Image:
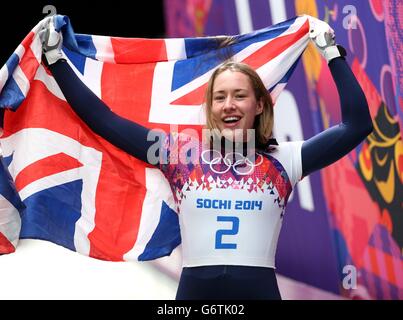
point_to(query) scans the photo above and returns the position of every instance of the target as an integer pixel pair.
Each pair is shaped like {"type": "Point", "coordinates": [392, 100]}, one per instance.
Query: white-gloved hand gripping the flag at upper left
{"type": "Point", "coordinates": [52, 41]}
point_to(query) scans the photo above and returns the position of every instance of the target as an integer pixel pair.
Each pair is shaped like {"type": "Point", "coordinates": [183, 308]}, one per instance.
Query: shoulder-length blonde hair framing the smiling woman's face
{"type": "Point", "coordinates": [263, 124]}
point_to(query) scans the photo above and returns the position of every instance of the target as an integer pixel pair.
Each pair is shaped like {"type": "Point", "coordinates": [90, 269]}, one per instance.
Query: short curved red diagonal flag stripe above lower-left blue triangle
{"type": "Point", "coordinates": [44, 168]}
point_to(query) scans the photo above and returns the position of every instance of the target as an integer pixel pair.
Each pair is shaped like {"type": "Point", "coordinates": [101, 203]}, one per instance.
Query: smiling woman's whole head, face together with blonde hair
{"type": "Point", "coordinates": [237, 100]}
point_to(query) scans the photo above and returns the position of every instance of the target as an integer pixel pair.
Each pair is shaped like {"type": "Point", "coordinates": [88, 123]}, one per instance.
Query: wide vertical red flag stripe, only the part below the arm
{"type": "Point", "coordinates": [116, 227]}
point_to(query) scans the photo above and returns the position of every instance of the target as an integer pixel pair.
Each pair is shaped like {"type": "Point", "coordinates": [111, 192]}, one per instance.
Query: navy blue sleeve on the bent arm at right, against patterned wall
{"type": "Point", "coordinates": [332, 144]}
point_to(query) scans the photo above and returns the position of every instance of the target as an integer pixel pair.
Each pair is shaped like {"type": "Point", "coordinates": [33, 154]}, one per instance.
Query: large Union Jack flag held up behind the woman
{"type": "Point", "coordinates": [80, 191]}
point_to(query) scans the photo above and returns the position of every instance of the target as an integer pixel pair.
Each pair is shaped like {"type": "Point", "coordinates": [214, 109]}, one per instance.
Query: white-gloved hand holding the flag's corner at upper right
{"type": "Point", "coordinates": [323, 37]}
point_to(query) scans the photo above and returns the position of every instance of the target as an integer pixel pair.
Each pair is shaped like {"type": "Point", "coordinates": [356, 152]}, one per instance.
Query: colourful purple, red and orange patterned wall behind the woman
{"type": "Point", "coordinates": [348, 216]}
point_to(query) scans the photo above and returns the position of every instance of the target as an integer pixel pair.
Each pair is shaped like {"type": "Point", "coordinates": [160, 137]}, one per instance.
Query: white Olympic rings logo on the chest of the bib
{"type": "Point", "coordinates": [242, 165]}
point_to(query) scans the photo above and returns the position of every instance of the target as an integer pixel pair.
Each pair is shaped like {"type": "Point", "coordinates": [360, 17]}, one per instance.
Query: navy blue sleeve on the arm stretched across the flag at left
{"type": "Point", "coordinates": [122, 133]}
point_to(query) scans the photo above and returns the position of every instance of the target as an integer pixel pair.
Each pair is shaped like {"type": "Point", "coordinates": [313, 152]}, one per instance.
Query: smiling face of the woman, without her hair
{"type": "Point", "coordinates": [234, 105]}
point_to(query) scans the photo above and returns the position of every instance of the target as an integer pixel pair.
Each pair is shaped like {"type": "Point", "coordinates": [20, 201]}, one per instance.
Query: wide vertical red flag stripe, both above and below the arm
{"type": "Point", "coordinates": [125, 199]}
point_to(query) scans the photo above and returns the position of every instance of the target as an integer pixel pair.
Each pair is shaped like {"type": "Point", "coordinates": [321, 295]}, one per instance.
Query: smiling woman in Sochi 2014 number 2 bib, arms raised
{"type": "Point", "coordinates": [230, 229]}
